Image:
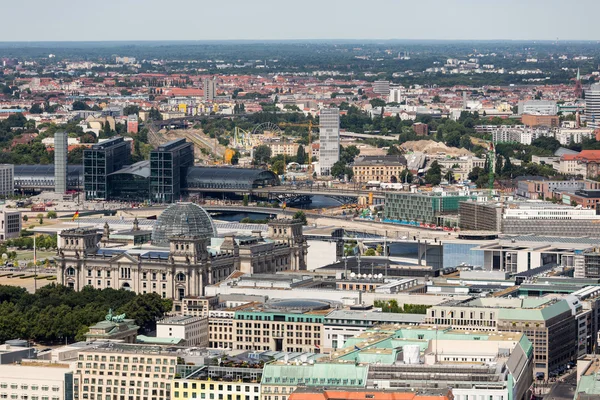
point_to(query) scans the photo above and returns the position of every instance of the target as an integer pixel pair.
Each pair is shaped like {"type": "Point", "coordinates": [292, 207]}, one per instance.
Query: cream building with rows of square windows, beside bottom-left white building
{"type": "Point", "coordinates": [114, 371]}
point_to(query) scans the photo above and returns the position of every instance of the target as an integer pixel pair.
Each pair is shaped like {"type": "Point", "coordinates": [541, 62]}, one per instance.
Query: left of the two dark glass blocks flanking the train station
{"type": "Point", "coordinates": [100, 161]}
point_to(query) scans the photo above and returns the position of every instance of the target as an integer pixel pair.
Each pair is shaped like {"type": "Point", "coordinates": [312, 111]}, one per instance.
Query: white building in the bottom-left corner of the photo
{"type": "Point", "coordinates": [36, 380]}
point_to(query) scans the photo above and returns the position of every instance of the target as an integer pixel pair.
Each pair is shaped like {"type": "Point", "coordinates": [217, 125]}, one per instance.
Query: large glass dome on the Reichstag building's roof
{"type": "Point", "coordinates": [182, 219]}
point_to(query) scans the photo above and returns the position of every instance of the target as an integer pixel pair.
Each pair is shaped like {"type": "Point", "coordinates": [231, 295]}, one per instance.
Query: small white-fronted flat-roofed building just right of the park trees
{"type": "Point", "coordinates": [193, 330]}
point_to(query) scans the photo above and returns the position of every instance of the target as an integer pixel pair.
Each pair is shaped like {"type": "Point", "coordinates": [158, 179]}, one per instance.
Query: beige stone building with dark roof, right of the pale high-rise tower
{"type": "Point", "coordinates": [378, 168]}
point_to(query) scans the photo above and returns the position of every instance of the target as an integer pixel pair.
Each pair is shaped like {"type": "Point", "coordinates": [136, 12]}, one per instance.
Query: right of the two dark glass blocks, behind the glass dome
{"type": "Point", "coordinates": [168, 167]}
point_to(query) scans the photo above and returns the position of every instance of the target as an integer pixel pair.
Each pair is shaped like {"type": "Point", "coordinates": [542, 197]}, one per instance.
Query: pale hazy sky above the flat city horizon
{"type": "Point", "coordinates": [35, 20]}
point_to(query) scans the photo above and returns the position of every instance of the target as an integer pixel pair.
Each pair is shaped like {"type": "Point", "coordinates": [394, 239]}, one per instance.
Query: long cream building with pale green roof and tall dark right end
{"type": "Point", "coordinates": [548, 323]}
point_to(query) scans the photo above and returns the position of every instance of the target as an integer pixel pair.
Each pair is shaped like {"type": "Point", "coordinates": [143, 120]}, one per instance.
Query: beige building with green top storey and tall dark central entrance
{"type": "Point", "coordinates": [281, 325]}
